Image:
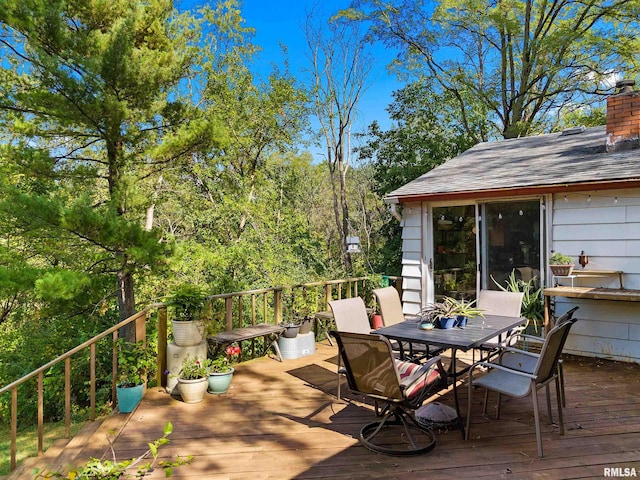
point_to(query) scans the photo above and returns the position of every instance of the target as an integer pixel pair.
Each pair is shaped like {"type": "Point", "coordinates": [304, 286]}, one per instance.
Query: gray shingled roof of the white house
{"type": "Point", "coordinates": [544, 160]}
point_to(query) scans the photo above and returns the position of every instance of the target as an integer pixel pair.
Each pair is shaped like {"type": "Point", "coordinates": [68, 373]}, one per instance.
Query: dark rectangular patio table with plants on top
{"type": "Point", "coordinates": [473, 335]}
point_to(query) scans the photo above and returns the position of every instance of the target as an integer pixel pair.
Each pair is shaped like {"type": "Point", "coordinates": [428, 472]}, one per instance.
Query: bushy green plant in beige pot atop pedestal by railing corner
{"type": "Point", "coordinates": [189, 304]}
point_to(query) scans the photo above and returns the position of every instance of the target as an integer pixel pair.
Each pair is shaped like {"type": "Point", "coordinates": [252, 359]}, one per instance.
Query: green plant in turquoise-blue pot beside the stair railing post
{"type": "Point", "coordinates": [134, 361]}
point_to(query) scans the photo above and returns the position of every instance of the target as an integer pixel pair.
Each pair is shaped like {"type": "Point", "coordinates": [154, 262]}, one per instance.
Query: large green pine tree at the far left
{"type": "Point", "coordinates": [88, 92]}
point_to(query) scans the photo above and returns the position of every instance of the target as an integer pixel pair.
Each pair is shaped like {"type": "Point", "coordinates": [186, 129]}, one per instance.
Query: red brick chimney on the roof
{"type": "Point", "coordinates": [623, 118]}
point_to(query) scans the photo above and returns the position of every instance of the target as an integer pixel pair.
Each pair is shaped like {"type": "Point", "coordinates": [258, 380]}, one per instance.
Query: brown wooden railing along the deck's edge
{"type": "Point", "coordinates": [230, 310]}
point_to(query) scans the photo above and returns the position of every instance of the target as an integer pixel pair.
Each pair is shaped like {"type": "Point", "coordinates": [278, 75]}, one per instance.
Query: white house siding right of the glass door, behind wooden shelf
{"type": "Point", "coordinates": [608, 231]}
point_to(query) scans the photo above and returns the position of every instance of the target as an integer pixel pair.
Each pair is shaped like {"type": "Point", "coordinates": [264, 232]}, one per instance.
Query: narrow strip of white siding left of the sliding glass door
{"type": "Point", "coordinates": [412, 258]}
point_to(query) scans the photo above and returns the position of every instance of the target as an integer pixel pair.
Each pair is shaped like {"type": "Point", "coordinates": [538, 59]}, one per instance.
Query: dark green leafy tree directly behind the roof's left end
{"type": "Point", "coordinates": [425, 133]}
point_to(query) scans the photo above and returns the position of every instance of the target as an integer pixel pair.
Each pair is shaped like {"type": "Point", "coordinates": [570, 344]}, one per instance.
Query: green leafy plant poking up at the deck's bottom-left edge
{"type": "Point", "coordinates": [96, 469]}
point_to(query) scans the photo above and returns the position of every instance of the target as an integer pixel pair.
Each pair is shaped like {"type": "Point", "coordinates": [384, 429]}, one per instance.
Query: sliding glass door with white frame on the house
{"type": "Point", "coordinates": [482, 245]}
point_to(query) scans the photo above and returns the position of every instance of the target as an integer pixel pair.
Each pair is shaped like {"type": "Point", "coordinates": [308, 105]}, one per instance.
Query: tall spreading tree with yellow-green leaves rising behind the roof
{"type": "Point", "coordinates": [522, 60]}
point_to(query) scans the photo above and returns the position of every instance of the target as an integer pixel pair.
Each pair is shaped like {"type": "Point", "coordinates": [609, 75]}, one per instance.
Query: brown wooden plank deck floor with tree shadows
{"type": "Point", "coordinates": [280, 421]}
